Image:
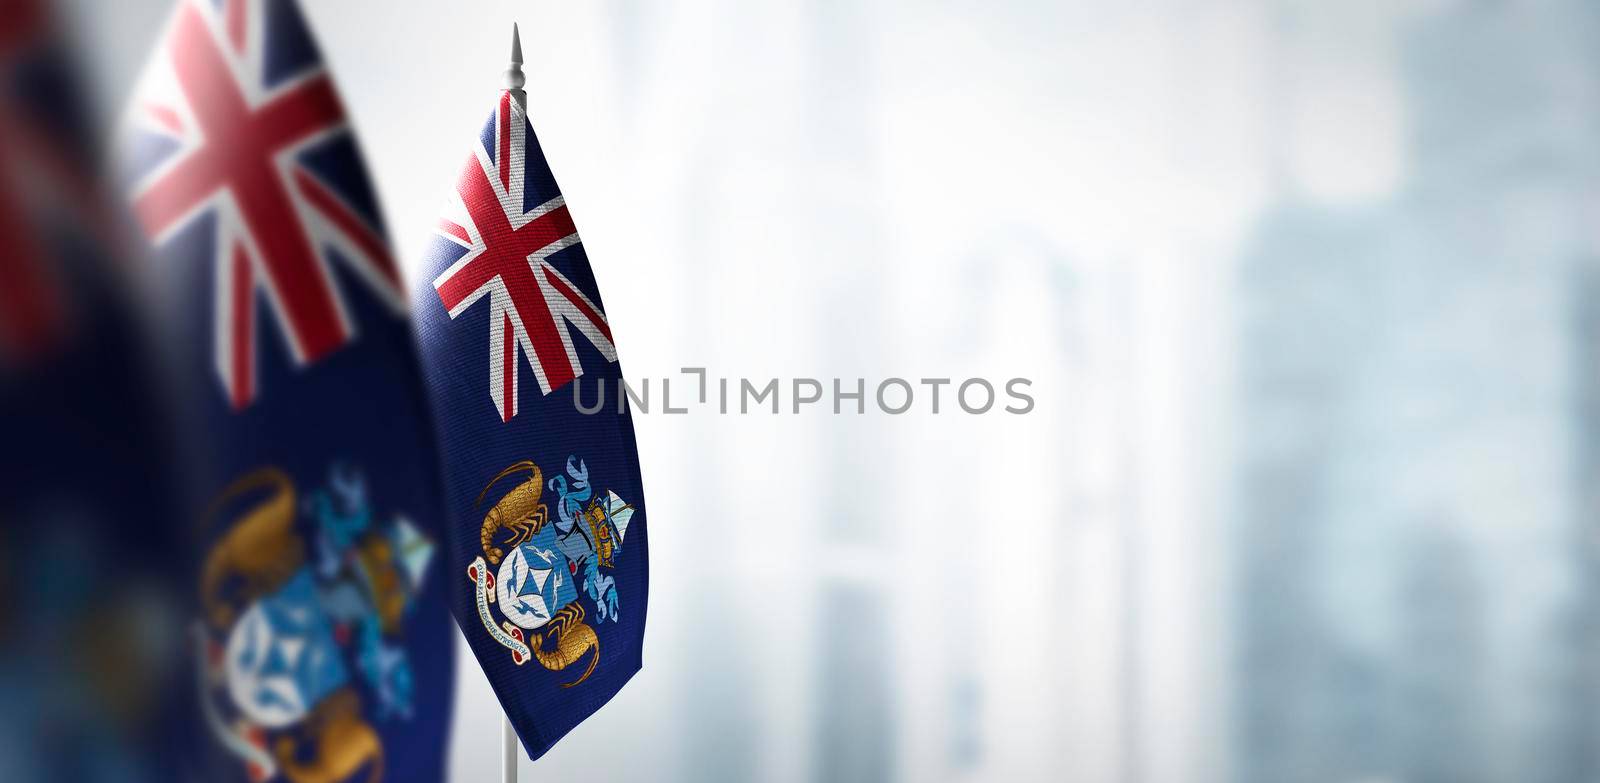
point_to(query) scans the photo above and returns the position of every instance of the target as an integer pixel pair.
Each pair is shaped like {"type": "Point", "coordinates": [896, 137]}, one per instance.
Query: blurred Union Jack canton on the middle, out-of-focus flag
{"type": "Point", "coordinates": [239, 127]}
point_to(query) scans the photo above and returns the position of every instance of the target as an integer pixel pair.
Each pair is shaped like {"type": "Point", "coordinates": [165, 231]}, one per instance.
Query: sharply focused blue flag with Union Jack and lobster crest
{"type": "Point", "coordinates": [550, 563]}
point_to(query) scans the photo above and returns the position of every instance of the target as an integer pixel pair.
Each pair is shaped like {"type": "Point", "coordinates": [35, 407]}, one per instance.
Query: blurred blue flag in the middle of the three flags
{"type": "Point", "coordinates": [322, 628]}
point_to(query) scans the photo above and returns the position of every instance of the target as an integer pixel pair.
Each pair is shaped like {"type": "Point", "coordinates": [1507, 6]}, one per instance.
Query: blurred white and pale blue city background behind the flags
{"type": "Point", "coordinates": [1311, 302]}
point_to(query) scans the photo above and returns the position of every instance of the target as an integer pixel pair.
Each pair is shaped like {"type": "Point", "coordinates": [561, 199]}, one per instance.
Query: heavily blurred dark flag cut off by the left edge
{"type": "Point", "coordinates": [87, 536]}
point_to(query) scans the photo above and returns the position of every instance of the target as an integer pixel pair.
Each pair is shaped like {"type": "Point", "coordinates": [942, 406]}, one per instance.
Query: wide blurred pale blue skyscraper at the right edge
{"type": "Point", "coordinates": [1410, 454]}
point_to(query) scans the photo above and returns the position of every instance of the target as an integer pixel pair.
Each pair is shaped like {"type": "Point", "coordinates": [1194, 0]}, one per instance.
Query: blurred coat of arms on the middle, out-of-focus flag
{"type": "Point", "coordinates": [302, 643]}
